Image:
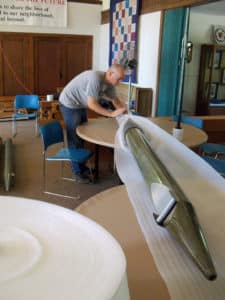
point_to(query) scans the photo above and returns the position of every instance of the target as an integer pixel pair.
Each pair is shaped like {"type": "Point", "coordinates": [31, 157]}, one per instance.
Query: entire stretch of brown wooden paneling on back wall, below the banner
{"type": "Point", "coordinates": [42, 62]}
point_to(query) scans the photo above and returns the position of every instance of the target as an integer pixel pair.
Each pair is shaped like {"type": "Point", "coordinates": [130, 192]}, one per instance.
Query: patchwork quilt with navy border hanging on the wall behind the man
{"type": "Point", "coordinates": [123, 33]}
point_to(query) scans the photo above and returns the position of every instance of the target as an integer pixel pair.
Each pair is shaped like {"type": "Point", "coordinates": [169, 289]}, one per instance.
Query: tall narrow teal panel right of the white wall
{"type": "Point", "coordinates": [170, 61]}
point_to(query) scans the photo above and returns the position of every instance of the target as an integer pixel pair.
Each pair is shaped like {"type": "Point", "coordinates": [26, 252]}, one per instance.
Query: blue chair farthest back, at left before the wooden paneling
{"type": "Point", "coordinates": [22, 106]}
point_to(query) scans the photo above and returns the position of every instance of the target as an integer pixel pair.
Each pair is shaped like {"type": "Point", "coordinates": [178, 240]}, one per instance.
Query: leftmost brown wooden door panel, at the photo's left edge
{"type": "Point", "coordinates": [16, 76]}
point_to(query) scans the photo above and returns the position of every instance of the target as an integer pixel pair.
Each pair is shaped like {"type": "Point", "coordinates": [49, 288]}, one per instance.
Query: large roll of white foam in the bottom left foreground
{"type": "Point", "coordinates": [51, 253]}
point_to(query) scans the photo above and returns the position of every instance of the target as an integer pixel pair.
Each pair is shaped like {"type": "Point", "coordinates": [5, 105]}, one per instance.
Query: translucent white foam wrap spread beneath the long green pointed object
{"type": "Point", "coordinates": [205, 190]}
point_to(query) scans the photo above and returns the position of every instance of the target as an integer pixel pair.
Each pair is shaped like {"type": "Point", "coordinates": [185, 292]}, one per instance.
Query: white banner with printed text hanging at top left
{"type": "Point", "coordinates": [49, 13]}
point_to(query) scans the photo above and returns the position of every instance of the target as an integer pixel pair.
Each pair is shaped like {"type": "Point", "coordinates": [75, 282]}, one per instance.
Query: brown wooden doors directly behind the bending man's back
{"type": "Point", "coordinates": [58, 59]}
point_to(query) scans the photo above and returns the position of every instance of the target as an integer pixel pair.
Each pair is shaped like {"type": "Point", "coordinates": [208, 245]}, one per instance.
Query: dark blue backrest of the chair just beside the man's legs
{"type": "Point", "coordinates": [51, 133]}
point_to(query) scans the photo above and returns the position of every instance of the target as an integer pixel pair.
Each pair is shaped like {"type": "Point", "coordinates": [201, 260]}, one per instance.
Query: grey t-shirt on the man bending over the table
{"type": "Point", "coordinates": [88, 83]}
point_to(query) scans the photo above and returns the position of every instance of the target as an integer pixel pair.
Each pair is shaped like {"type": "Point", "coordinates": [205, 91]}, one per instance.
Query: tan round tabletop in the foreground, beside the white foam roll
{"type": "Point", "coordinates": [113, 210]}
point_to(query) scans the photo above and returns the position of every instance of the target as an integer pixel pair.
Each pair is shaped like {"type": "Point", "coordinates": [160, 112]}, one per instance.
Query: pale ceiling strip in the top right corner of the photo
{"type": "Point", "coordinates": [216, 8]}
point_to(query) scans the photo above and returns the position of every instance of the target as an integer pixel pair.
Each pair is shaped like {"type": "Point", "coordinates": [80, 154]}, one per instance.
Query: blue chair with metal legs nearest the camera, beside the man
{"type": "Point", "coordinates": [52, 133]}
